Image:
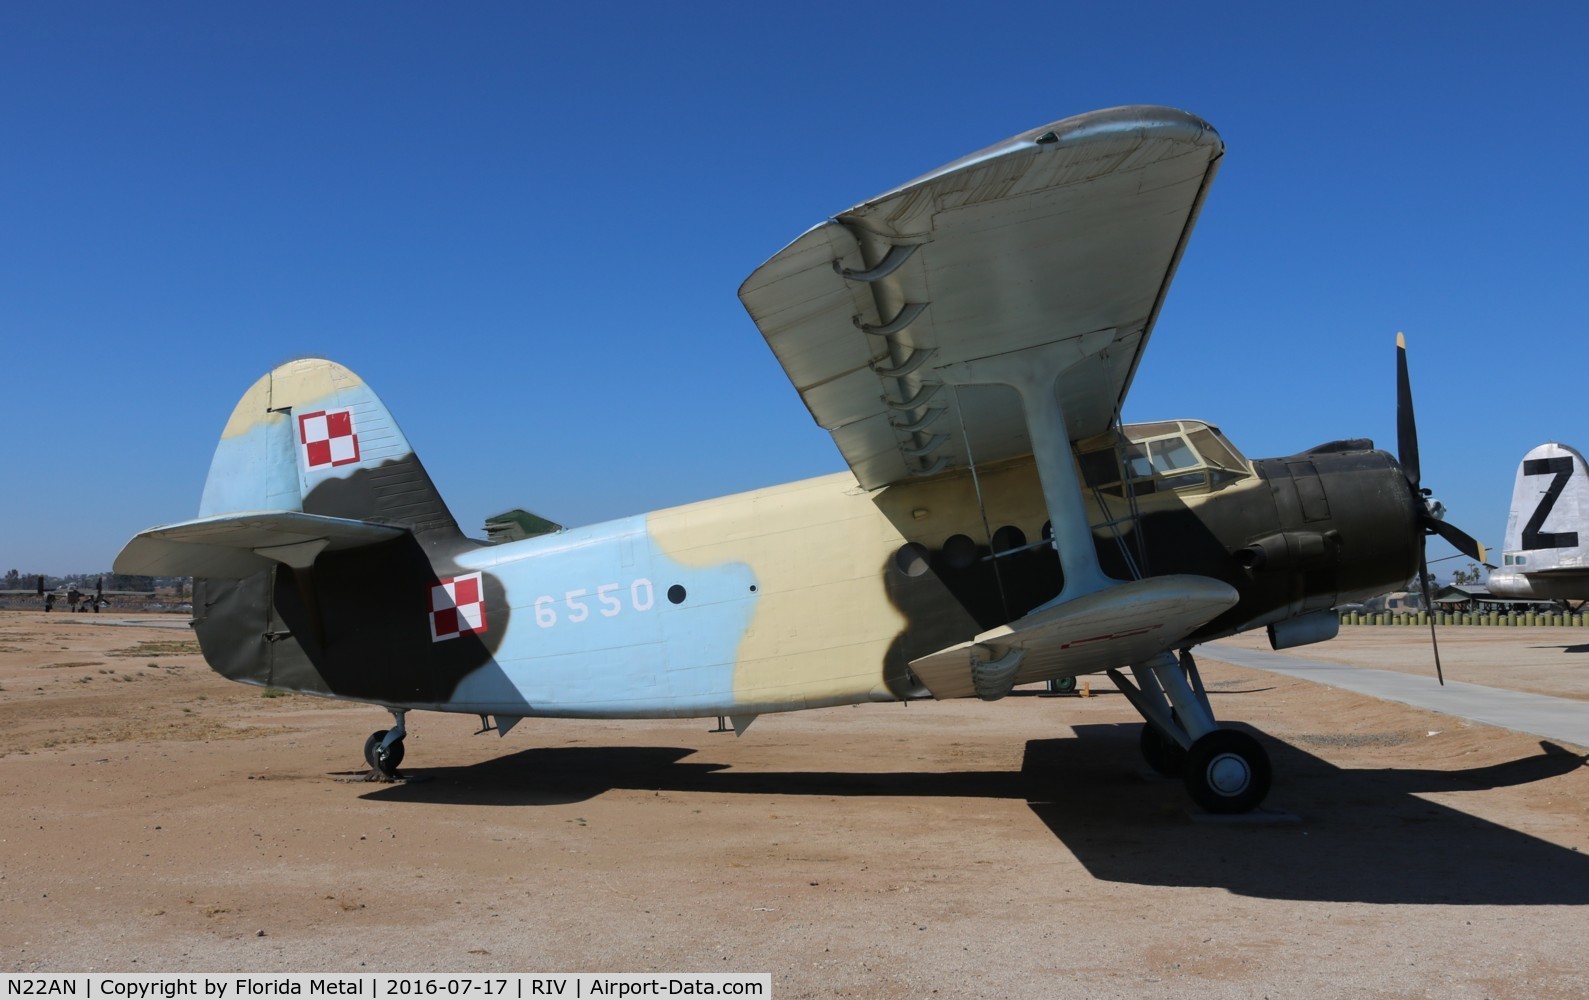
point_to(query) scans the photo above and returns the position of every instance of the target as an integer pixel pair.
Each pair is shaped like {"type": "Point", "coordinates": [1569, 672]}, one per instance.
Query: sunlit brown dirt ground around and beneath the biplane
{"type": "Point", "coordinates": [160, 818]}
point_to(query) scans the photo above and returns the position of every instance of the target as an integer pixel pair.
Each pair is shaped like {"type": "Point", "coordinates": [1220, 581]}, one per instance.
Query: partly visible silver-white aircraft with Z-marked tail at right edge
{"type": "Point", "coordinates": [1545, 556]}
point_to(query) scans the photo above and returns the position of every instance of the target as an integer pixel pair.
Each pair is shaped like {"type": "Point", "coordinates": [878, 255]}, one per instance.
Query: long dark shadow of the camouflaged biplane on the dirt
{"type": "Point", "coordinates": [1364, 837]}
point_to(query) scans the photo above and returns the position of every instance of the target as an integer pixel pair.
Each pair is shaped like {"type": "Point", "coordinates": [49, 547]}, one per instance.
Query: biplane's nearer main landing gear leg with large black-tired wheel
{"type": "Point", "coordinates": [1224, 770]}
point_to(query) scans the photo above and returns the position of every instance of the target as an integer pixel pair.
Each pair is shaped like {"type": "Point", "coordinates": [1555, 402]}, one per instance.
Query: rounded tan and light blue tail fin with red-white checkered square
{"type": "Point", "coordinates": [312, 436]}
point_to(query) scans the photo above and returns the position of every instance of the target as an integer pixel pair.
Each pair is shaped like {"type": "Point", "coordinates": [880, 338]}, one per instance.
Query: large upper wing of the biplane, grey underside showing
{"type": "Point", "coordinates": [1070, 231]}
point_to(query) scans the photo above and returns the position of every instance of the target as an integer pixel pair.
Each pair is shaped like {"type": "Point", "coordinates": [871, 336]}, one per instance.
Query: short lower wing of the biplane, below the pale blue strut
{"type": "Point", "coordinates": [1113, 627]}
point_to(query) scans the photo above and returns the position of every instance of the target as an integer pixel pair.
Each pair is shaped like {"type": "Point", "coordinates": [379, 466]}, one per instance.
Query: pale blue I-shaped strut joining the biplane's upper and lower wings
{"type": "Point", "coordinates": [1034, 373]}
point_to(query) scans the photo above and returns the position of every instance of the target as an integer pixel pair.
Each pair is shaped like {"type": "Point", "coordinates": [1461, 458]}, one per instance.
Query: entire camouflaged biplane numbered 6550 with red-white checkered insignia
{"type": "Point", "coordinates": [968, 341]}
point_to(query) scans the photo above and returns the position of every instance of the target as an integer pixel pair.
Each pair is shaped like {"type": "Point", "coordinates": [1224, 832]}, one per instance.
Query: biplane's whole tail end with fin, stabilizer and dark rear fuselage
{"type": "Point", "coordinates": [322, 554]}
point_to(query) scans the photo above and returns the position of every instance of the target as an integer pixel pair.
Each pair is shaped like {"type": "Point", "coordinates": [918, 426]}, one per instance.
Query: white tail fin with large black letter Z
{"type": "Point", "coordinates": [1548, 527]}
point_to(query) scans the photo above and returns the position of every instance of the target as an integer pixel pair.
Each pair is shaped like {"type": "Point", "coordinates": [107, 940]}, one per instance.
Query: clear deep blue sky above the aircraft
{"type": "Point", "coordinates": [525, 225]}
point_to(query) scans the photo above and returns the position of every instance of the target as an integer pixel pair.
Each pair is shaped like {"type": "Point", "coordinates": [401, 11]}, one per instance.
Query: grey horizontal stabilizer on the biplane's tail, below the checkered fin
{"type": "Point", "coordinates": [236, 546]}
